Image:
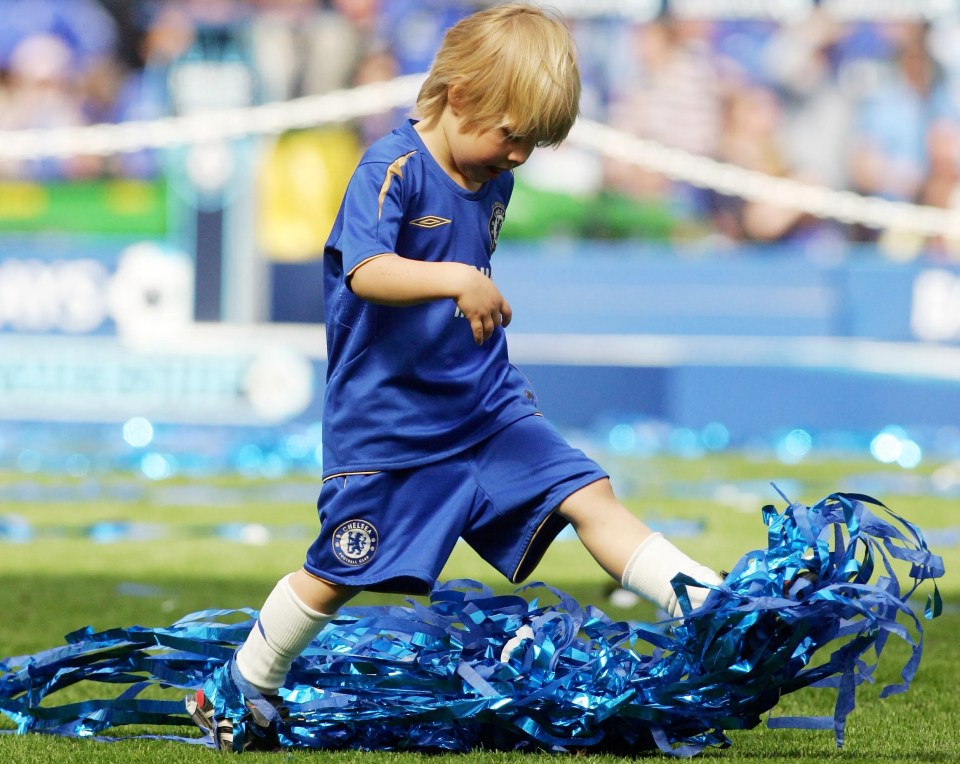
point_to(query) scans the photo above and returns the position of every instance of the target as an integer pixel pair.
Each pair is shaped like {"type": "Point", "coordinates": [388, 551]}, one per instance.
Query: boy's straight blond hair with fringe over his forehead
{"type": "Point", "coordinates": [513, 66]}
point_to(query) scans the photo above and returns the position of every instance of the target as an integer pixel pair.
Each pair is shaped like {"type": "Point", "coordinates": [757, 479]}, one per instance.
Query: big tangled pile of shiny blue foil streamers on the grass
{"type": "Point", "coordinates": [474, 669]}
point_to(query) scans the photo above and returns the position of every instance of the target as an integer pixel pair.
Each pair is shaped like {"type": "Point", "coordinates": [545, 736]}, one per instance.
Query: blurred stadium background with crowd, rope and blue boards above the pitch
{"type": "Point", "coordinates": [751, 239]}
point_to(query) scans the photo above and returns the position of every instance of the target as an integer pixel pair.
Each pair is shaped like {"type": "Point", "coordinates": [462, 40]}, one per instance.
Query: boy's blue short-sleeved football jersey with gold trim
{"type": "Point", "coordinates": [408, 385]}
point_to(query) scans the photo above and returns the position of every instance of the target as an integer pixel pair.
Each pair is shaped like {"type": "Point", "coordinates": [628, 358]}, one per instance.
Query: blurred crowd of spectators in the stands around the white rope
{"type": "Point", "coordinates": [871, 107]}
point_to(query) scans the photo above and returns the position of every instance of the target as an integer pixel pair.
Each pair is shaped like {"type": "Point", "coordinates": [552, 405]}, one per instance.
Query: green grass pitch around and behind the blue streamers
{"type": "Point", "coordinates": [64, 580]}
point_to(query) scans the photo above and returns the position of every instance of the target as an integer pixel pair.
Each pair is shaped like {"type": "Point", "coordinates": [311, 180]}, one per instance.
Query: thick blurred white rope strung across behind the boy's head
{"type": "Point", "coordinates": [376, 98]}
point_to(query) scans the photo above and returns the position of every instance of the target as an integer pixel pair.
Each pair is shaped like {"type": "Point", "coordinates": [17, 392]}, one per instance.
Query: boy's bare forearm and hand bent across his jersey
{"type": "Point", "coordinates": [393, 280]}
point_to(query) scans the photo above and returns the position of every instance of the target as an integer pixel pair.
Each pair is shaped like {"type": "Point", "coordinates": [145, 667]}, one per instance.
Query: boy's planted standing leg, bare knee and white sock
{"type": "Point", "coordinates": [294, 613]}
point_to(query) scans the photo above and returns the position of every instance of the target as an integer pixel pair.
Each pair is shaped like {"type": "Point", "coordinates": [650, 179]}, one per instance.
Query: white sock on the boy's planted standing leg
{"type": "Point", "coordinates": [284, 629]}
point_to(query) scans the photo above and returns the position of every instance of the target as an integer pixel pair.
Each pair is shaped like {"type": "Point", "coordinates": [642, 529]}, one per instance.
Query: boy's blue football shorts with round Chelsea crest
{"type": "Point", "coordinates": [394, 530]}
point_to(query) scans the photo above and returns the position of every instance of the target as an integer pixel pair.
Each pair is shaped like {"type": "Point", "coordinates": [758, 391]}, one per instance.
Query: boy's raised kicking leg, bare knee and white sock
{"type": "Point", "coordinates": [624, 546]}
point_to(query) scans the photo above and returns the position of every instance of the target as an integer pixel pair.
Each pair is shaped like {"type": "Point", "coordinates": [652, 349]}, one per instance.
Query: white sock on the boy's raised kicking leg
{"type": "Point", "coordinates": [654, 564]}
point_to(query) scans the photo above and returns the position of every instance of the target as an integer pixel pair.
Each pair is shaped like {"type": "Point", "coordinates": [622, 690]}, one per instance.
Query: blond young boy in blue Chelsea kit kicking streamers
{"type": "Point", "coordinates": [429, 433]}
